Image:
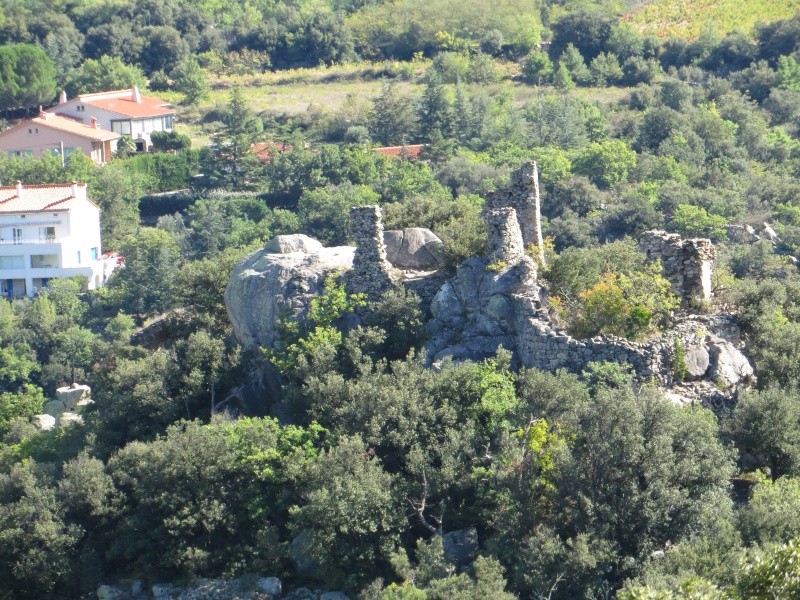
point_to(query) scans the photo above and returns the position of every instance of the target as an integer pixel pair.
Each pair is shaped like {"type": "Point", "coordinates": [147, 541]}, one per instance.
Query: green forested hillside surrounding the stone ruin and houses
{"type": "Point", "coordinates": [352, 469]}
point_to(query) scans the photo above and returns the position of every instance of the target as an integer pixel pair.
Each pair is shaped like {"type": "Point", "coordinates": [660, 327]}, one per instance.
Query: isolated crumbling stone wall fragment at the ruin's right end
{"type": "Point", "coordinates": [687, 264]}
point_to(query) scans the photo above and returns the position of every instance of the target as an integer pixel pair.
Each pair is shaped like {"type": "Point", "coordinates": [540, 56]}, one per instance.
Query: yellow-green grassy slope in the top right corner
{"type": "Point", "coordinates": [687, 18]}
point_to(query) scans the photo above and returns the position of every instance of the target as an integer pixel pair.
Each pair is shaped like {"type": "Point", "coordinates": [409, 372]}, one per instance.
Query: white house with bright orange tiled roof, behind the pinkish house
{"type": "Point", "coordinates": [126, 112]}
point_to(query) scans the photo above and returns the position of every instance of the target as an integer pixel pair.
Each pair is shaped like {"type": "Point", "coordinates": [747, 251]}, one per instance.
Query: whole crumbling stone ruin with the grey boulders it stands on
{"type": "Point", "coordinates": [495, 300]}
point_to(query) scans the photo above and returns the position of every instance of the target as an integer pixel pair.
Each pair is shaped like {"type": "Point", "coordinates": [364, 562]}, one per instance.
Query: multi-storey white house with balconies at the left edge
{"type": "Point", "coordinates": [46, 232]}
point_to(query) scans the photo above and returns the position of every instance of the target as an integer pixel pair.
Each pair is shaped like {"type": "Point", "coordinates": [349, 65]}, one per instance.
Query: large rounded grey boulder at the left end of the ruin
{"type": "Point", "coordinates": [265, 284]}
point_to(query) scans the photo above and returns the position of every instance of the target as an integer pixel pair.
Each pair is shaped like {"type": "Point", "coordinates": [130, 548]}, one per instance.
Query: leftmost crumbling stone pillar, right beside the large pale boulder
{"type": "Point", "coordinates": [371, 273]}
